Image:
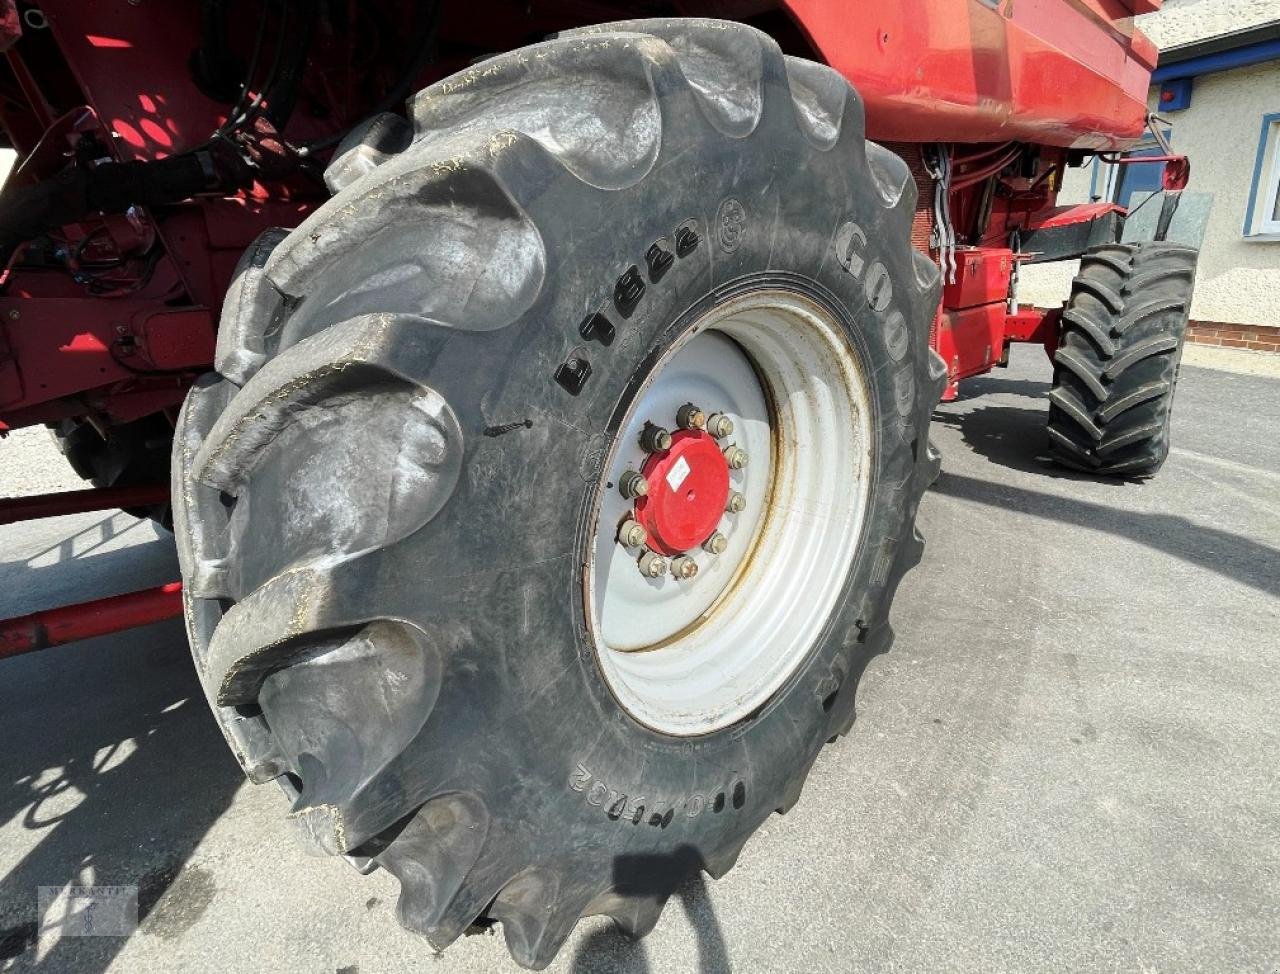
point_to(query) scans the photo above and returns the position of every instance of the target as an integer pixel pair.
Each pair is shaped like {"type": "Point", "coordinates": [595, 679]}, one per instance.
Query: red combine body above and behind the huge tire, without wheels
{"type": "Point", "coordinates": [109, 317]}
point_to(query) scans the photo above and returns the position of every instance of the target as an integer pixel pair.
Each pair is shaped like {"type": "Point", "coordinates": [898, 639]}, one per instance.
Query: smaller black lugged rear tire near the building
{"type": "Point", "coordinates": [1117, 364]}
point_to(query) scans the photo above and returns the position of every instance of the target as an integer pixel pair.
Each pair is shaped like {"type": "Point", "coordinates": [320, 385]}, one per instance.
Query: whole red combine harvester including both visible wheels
{"type": "Point", "coordinates": [546, 445]}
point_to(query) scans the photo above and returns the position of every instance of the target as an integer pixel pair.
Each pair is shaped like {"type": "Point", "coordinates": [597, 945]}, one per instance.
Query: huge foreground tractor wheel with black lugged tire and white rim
{"type": "Point", "coordinates": [417, 592]}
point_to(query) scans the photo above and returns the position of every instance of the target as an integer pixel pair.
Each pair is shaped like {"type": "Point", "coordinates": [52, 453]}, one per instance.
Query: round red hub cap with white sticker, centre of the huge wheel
{"type": "Point", "coordinates": [688, 491]}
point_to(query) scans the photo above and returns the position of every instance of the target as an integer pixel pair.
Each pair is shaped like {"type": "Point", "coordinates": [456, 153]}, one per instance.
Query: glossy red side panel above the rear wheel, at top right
{"type": "Point", "coordinates": [1055, 72]}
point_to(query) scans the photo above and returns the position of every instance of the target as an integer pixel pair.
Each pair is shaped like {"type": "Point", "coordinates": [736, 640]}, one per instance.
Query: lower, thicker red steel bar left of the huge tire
{"type": "Point", "coordinates": [53, 628]}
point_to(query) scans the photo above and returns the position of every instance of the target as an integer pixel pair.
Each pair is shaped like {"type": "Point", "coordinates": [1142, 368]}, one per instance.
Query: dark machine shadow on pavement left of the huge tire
{"type": "Point", "coordinates": [113, 769]}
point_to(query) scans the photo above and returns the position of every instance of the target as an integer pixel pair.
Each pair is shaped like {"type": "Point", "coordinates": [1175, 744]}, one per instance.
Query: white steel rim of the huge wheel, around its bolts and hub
{"type": "Point", "coordinates": [688, 657]}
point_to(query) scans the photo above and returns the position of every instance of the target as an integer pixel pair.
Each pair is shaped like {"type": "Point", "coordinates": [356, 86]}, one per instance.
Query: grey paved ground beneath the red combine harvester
{"type": "Point", "coordinates": [1069, 762]}
